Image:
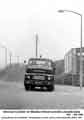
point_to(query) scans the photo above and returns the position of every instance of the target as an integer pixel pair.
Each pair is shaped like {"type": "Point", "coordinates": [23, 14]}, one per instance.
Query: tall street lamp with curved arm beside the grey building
{"type": "Point", "coordinates": [81, 69]}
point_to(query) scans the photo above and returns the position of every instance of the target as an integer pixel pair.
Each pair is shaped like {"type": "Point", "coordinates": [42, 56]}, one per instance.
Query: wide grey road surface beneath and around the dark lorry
{"type": "Point", "coordinates": [14, 96]}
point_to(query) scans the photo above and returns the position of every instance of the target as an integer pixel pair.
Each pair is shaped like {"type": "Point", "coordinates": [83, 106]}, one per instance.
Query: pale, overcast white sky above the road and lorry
{"type": "Point", "coordinates": [21, 20]}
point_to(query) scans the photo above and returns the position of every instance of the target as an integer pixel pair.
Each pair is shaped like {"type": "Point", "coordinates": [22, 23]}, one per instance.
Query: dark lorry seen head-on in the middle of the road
{"type": "Point", "coordinates": [39, 72]}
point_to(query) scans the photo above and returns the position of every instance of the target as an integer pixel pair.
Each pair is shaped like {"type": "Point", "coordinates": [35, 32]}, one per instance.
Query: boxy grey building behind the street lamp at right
{"type": "Point", "coordinates": [72, 61]}
